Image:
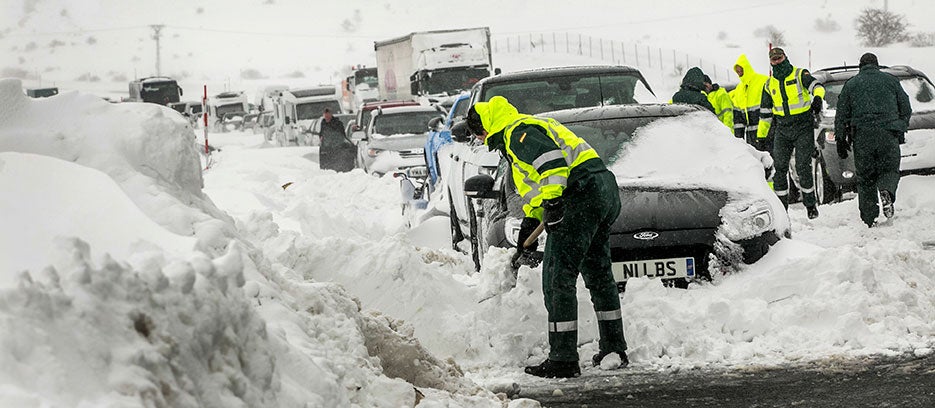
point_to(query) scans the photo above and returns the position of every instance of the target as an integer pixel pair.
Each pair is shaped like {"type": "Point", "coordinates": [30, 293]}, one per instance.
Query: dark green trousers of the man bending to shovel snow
{"type": "Point", "coordinates": [580, 244]}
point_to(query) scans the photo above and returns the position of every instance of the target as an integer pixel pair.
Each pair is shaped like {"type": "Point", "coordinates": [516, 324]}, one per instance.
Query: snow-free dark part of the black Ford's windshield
{"type": "Point", "coordinates": [609, 136]}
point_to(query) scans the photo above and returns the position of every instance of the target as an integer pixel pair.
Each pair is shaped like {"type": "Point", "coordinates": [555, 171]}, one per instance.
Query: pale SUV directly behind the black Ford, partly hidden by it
{"type": "Point", "coordinates": [532, 92]}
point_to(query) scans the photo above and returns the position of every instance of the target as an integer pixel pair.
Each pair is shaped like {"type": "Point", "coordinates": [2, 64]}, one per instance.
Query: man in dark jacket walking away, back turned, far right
{"type": "Point", "coordinates": [873, 114]}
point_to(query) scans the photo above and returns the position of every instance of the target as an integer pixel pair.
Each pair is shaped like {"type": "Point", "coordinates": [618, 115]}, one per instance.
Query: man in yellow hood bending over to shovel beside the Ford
{"type": "Point", "coordinates": [565, 185]}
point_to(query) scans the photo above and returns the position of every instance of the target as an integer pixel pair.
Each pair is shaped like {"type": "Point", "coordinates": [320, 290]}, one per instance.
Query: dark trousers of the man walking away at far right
{"type": "Point", "coordinates": [876, 159]}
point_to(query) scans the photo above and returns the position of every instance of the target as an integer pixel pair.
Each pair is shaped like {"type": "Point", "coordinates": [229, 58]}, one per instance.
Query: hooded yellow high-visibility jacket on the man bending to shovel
{"type": "Point", "coordinates": [541, 151]}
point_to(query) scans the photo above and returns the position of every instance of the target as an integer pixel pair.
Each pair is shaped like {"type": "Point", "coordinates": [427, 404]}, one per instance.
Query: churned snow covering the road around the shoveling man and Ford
{"type": "Point", "coordinates": [835, 289]}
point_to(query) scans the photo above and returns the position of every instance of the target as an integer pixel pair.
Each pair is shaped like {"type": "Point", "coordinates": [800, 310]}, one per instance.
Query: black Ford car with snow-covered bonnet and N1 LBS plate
{"type": "Point", "coordinates": [694, 200]}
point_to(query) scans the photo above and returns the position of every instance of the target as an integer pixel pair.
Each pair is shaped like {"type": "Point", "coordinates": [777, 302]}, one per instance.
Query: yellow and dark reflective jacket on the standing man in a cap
{"type": "Point", "coordinates": [789, 97]}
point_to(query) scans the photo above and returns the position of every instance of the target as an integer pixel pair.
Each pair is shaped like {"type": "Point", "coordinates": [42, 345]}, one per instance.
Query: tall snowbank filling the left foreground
{"type": "Point", "coordinates": [125, 285]}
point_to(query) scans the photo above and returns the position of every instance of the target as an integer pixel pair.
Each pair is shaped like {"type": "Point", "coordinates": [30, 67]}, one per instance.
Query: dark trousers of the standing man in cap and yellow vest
{"type": "Point", "coordinates": [794, 134]}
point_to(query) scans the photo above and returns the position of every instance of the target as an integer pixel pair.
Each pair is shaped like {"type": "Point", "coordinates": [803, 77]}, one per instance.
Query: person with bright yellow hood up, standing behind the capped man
{"type": "Point", "coordinates": [746, 97]}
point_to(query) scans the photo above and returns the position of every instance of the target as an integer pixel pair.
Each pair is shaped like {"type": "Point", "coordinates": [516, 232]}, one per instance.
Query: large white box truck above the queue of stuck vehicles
{"type": "Point", "coordinates": [432, 64]}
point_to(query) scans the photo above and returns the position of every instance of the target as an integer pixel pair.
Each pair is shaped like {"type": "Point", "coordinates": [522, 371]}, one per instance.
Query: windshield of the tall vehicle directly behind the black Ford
{"type": "Point", "coordinates": [575, 91]}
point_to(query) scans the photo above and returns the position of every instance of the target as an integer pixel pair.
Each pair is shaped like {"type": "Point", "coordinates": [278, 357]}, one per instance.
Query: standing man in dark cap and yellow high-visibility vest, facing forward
{"type": "Point", "coordinates": [791, 99]}
